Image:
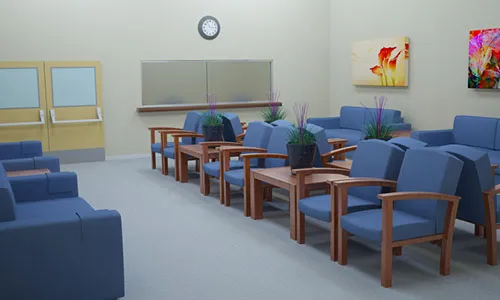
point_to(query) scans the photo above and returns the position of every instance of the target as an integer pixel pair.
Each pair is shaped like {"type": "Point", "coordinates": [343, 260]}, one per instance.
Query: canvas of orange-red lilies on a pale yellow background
{"type": "Point", "coordinates": [381, 62]}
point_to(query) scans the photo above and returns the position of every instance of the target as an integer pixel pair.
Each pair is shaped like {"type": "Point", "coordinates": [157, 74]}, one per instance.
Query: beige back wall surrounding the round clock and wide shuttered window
{"type": "Point", "coordinates": [121, 33]}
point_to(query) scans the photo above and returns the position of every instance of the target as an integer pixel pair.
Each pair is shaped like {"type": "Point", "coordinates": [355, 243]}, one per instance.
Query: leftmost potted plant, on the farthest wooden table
{"type": "Point", "coordinates": [212, 124]}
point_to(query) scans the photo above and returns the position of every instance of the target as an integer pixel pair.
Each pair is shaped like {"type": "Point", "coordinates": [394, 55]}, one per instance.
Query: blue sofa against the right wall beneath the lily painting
{"type": "Point", "coordinates": [352, 120]}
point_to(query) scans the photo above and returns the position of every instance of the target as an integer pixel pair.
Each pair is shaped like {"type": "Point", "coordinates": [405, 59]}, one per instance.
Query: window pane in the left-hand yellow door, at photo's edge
{"type": "Point", "coordinates": [19, 88]}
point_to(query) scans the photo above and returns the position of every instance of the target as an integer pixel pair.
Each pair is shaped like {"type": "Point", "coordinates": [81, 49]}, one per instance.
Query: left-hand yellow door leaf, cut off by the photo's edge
{"type": "Point", "coordinates": [23, 114]}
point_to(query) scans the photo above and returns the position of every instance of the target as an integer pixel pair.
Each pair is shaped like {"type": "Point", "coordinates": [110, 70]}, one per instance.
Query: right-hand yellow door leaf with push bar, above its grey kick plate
{"type": "Point", "coordinates": [74, 103]}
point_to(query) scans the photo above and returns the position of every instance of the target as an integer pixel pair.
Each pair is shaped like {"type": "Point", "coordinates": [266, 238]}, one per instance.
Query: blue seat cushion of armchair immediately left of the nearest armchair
{"type": "Point", "coordinates": [319, 207]}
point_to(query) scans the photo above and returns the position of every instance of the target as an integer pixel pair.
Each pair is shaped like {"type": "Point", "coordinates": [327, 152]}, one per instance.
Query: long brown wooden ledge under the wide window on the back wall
{"type": "Point", "coordinates": [187, 107]}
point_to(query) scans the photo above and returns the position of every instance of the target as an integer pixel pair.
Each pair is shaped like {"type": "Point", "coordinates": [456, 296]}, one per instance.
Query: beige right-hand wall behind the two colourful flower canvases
{"type": "Point", "coordinates": [438, 32]}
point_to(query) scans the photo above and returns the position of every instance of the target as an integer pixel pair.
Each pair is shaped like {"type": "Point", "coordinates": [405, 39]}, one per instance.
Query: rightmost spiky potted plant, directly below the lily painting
{"type": "Point", "coordinates": [377, 127]}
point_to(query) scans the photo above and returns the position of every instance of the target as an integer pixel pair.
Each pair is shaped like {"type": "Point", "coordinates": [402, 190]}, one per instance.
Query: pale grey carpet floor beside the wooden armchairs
{"type": "Point", "coordinates": [179, 244]}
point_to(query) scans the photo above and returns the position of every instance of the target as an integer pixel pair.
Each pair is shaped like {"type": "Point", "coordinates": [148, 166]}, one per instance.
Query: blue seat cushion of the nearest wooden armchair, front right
{"type": "Point", "coordinates": [368, 224]}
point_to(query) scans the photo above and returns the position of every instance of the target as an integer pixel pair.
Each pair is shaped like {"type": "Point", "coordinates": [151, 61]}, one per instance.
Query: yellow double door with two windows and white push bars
{"type": "Point", "coordinates": [58, 103]}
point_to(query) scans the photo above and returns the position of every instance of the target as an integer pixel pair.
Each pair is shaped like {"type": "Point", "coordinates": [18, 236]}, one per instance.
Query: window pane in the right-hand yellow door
{"type": "Point", "coordinates": [74, 87]}
